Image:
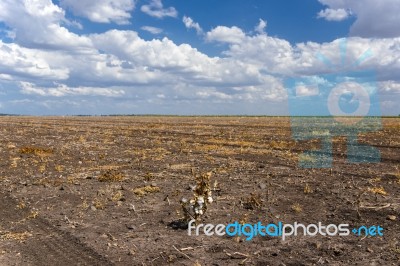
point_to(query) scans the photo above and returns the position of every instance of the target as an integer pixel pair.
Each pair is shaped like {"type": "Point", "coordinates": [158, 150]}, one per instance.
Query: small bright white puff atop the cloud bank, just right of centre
{"type": "Point", "coordinates": [226, 34]}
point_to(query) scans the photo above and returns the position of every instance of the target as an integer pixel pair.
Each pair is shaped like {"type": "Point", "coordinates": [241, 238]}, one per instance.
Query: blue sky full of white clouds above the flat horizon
{"type": "Point", "coordinates": [199, 57]}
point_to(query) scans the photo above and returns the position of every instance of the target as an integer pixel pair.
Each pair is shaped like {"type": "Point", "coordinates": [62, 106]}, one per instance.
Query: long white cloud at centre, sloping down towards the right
{"type": "Point", "coordinates": [173, 62]}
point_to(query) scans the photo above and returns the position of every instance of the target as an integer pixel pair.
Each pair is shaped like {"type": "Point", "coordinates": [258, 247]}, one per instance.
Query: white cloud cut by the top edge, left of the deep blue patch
{"type": "Point", "coordinates": [103, 11]}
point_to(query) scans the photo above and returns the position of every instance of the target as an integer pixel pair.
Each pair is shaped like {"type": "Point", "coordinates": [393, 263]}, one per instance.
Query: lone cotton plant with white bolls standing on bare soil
{"type": "Point", "coordinates": [202, 196]}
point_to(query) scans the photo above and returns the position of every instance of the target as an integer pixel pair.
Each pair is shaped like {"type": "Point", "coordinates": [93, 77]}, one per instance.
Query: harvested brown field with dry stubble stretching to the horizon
{"type": "Point", "coordinates": [107, 191]}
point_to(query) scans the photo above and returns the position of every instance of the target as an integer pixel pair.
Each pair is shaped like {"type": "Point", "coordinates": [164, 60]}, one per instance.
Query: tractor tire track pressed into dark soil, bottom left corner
{"type": "Point", "coordinates": [46, 245]}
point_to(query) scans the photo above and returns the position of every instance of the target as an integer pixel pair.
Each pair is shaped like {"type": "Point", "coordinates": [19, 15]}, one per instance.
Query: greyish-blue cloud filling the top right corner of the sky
{"type": "Point", "coordinates": [376, 19]}
